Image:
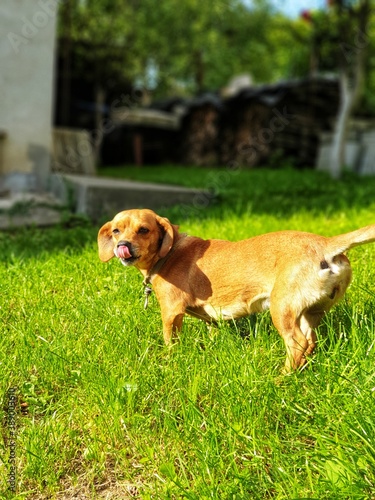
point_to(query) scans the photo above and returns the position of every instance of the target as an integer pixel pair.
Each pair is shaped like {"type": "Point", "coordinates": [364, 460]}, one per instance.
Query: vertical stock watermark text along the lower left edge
{"type": "Point", "coordinates": [11, 435]}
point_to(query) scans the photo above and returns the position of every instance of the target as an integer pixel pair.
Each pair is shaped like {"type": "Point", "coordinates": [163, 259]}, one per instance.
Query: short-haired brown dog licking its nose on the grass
{"type": "Point", "coordinates": [299, 276]}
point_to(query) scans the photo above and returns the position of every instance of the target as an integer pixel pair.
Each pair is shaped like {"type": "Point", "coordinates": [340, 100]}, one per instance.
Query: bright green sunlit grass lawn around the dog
{"type": "Point", "coordinates": [101, 409]}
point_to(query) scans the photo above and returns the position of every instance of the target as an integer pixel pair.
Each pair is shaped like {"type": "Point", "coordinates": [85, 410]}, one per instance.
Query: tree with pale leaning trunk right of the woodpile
{"type": "Point", "coordinates": [339, 42]}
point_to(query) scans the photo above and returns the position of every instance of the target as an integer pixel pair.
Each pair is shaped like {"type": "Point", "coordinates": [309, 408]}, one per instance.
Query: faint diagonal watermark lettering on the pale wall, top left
{"type": "Point", "coordinates": [31, 26]}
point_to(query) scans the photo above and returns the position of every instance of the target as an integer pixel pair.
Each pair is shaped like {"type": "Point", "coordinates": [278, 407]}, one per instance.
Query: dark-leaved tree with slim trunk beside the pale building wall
{"type": "Point", "coordinates": [92, 44]}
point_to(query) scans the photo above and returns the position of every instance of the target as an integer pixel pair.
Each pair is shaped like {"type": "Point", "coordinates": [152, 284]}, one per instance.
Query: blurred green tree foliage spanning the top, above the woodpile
{"type": "Point", "coordinates": [191, 46]}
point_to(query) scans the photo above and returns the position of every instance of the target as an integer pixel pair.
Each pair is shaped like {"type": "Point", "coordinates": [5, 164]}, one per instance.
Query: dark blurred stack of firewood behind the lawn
{"type": "Point", "coordinates": [261, 125]}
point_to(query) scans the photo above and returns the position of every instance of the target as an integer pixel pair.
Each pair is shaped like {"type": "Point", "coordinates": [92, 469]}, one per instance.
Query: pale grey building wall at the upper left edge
{"type": "Point", "coordinates": [27, 49]}
